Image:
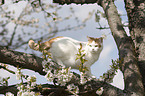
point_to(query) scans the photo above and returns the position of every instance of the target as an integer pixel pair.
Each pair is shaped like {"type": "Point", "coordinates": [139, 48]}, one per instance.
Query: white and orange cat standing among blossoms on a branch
{"type": "Point", "coordinates": [64, 49]}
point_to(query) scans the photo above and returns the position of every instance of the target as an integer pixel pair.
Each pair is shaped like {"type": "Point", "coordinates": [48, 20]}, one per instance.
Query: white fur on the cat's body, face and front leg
{"type": "Point", "coordinates": [64, 50]}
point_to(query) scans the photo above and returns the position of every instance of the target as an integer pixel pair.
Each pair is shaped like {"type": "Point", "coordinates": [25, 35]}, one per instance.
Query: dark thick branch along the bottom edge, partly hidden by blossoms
{"type": "Point", "coordinates": [48, 89]}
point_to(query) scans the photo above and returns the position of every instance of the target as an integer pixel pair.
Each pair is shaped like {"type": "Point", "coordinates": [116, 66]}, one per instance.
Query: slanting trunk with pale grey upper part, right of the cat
{"type": "Point", "coordinates": [129, 67]}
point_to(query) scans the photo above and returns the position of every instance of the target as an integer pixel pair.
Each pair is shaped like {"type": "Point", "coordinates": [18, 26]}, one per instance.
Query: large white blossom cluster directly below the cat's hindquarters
{"type": "Point", "coordinates": [62, 74]}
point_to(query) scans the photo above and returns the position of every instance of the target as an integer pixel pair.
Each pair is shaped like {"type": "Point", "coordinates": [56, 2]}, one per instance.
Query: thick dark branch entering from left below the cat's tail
{"type": "Point", "coordinates": [22, 60]}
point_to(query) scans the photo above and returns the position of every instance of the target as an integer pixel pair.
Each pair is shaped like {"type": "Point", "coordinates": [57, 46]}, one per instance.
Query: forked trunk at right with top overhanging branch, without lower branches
{"type": "Point", "coordinates": [131, 49]}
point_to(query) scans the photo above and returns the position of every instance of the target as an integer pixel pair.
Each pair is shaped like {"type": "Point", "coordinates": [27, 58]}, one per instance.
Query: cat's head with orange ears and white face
{"type": "Point", "coordinates": [95, 44]}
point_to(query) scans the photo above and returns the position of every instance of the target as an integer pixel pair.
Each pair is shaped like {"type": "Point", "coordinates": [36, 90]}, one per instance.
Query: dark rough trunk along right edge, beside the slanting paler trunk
{"type": "Point", "coordinates": [136, 16]}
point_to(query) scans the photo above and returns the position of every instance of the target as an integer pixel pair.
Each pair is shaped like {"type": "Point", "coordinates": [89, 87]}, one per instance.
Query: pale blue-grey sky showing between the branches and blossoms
{"type": "Point", "coordinates": [81, 11]}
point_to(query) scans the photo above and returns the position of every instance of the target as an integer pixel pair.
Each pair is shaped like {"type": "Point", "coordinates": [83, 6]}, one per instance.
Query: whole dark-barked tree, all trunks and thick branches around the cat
{"type": "Point", "coordinates": [131, 53]}
